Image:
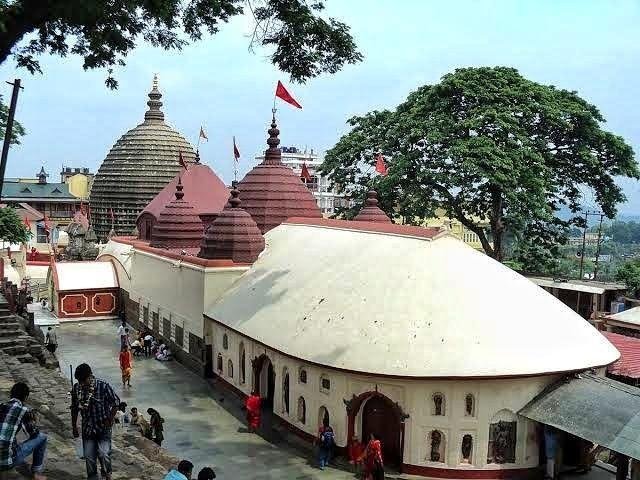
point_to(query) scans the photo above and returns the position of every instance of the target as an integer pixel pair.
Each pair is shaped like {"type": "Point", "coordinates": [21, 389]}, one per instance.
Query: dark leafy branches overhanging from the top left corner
{"type": "Point", "coordinates": [104, 32]}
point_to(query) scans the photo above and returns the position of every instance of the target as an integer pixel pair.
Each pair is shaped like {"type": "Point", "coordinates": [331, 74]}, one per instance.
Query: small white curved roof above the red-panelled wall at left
{"type": "Point", "coordinates": [84, 276]}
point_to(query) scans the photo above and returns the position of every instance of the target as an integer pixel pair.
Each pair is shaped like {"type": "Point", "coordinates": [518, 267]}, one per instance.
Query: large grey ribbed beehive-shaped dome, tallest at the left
{"type": "Point", "coordinates": [136, 168]}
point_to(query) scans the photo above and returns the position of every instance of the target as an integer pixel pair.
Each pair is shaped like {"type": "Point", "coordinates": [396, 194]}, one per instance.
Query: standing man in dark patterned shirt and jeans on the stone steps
{"type": "Point", "coordinates": [97, 403]}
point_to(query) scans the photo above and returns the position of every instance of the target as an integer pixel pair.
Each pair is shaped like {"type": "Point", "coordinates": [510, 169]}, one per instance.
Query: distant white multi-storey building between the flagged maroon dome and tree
{"type": "Point", "coordinates": [326, 197]}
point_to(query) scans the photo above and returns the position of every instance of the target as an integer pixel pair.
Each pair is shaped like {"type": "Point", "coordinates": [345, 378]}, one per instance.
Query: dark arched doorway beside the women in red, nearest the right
{"type": "Point", "coordinates": [380, 418]}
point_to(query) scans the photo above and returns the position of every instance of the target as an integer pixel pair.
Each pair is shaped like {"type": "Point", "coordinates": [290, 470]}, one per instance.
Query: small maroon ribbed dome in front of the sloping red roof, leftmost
{"type": "Point", "coordinates": [178, 225]}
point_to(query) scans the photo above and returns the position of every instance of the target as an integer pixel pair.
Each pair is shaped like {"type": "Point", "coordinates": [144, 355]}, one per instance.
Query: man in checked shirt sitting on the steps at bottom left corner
{"type": "Point", "coordinates": [14, 416]}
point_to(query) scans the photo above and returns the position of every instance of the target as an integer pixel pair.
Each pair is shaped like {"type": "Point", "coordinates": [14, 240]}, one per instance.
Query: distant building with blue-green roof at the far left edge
{"type": "Point", "coordinates": [53, 200]}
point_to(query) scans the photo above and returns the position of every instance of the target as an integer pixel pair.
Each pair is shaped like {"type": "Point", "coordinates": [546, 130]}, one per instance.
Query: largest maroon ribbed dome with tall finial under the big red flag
{"type": "Point", "coordinates": [272, 192]}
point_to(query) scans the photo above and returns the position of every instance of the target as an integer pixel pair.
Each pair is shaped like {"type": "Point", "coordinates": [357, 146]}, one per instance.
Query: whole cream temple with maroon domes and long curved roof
{"type": "Point", "coordinates": [402, 331]}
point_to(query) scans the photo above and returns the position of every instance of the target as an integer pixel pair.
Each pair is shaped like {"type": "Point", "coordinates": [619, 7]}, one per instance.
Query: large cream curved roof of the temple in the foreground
{"type": "Point", "coordinates": [388, 304]}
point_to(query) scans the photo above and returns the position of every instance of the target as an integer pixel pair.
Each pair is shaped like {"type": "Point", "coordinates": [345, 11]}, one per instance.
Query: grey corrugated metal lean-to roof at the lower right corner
{"type": "Point", "coordinates": [595, 408]}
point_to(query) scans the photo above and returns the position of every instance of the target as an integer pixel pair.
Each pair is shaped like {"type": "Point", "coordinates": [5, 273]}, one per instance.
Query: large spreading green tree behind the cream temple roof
{"type": "Point", "coordinates": [486, 143]}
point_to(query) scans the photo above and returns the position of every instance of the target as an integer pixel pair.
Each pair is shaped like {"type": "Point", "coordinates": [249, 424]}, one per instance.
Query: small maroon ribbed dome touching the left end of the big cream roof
{"type": "Point", "coordinates": [233, 235]}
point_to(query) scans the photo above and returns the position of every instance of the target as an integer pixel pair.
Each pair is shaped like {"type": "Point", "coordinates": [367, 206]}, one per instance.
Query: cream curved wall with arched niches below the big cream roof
{"type": "Point", "coordinates": [493, 400]}
